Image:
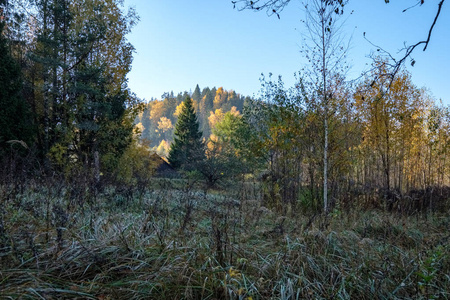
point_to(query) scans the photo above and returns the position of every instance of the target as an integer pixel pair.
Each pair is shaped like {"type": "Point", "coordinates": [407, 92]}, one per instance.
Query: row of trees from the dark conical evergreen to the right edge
{"type": "Point", "coordinates": [387, 147]}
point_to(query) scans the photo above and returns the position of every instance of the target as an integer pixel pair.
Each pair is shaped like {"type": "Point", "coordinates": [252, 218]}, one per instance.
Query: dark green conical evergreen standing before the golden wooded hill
{"type": "Point", "coordinates": [187, 149]}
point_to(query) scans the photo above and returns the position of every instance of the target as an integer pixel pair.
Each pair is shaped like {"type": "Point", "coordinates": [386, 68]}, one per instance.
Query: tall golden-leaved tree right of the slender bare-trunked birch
{"type": "Point", "coordinates": [393, 120]}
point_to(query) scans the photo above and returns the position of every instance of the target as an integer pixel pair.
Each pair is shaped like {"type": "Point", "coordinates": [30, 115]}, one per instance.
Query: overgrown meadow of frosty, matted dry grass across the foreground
{"type": "Point", "coordinates": [181, 243]}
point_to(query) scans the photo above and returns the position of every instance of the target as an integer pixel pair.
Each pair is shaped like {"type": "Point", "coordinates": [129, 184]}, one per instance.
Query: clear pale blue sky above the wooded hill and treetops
{"type": "Point", "coordinates": [180, 44]}
